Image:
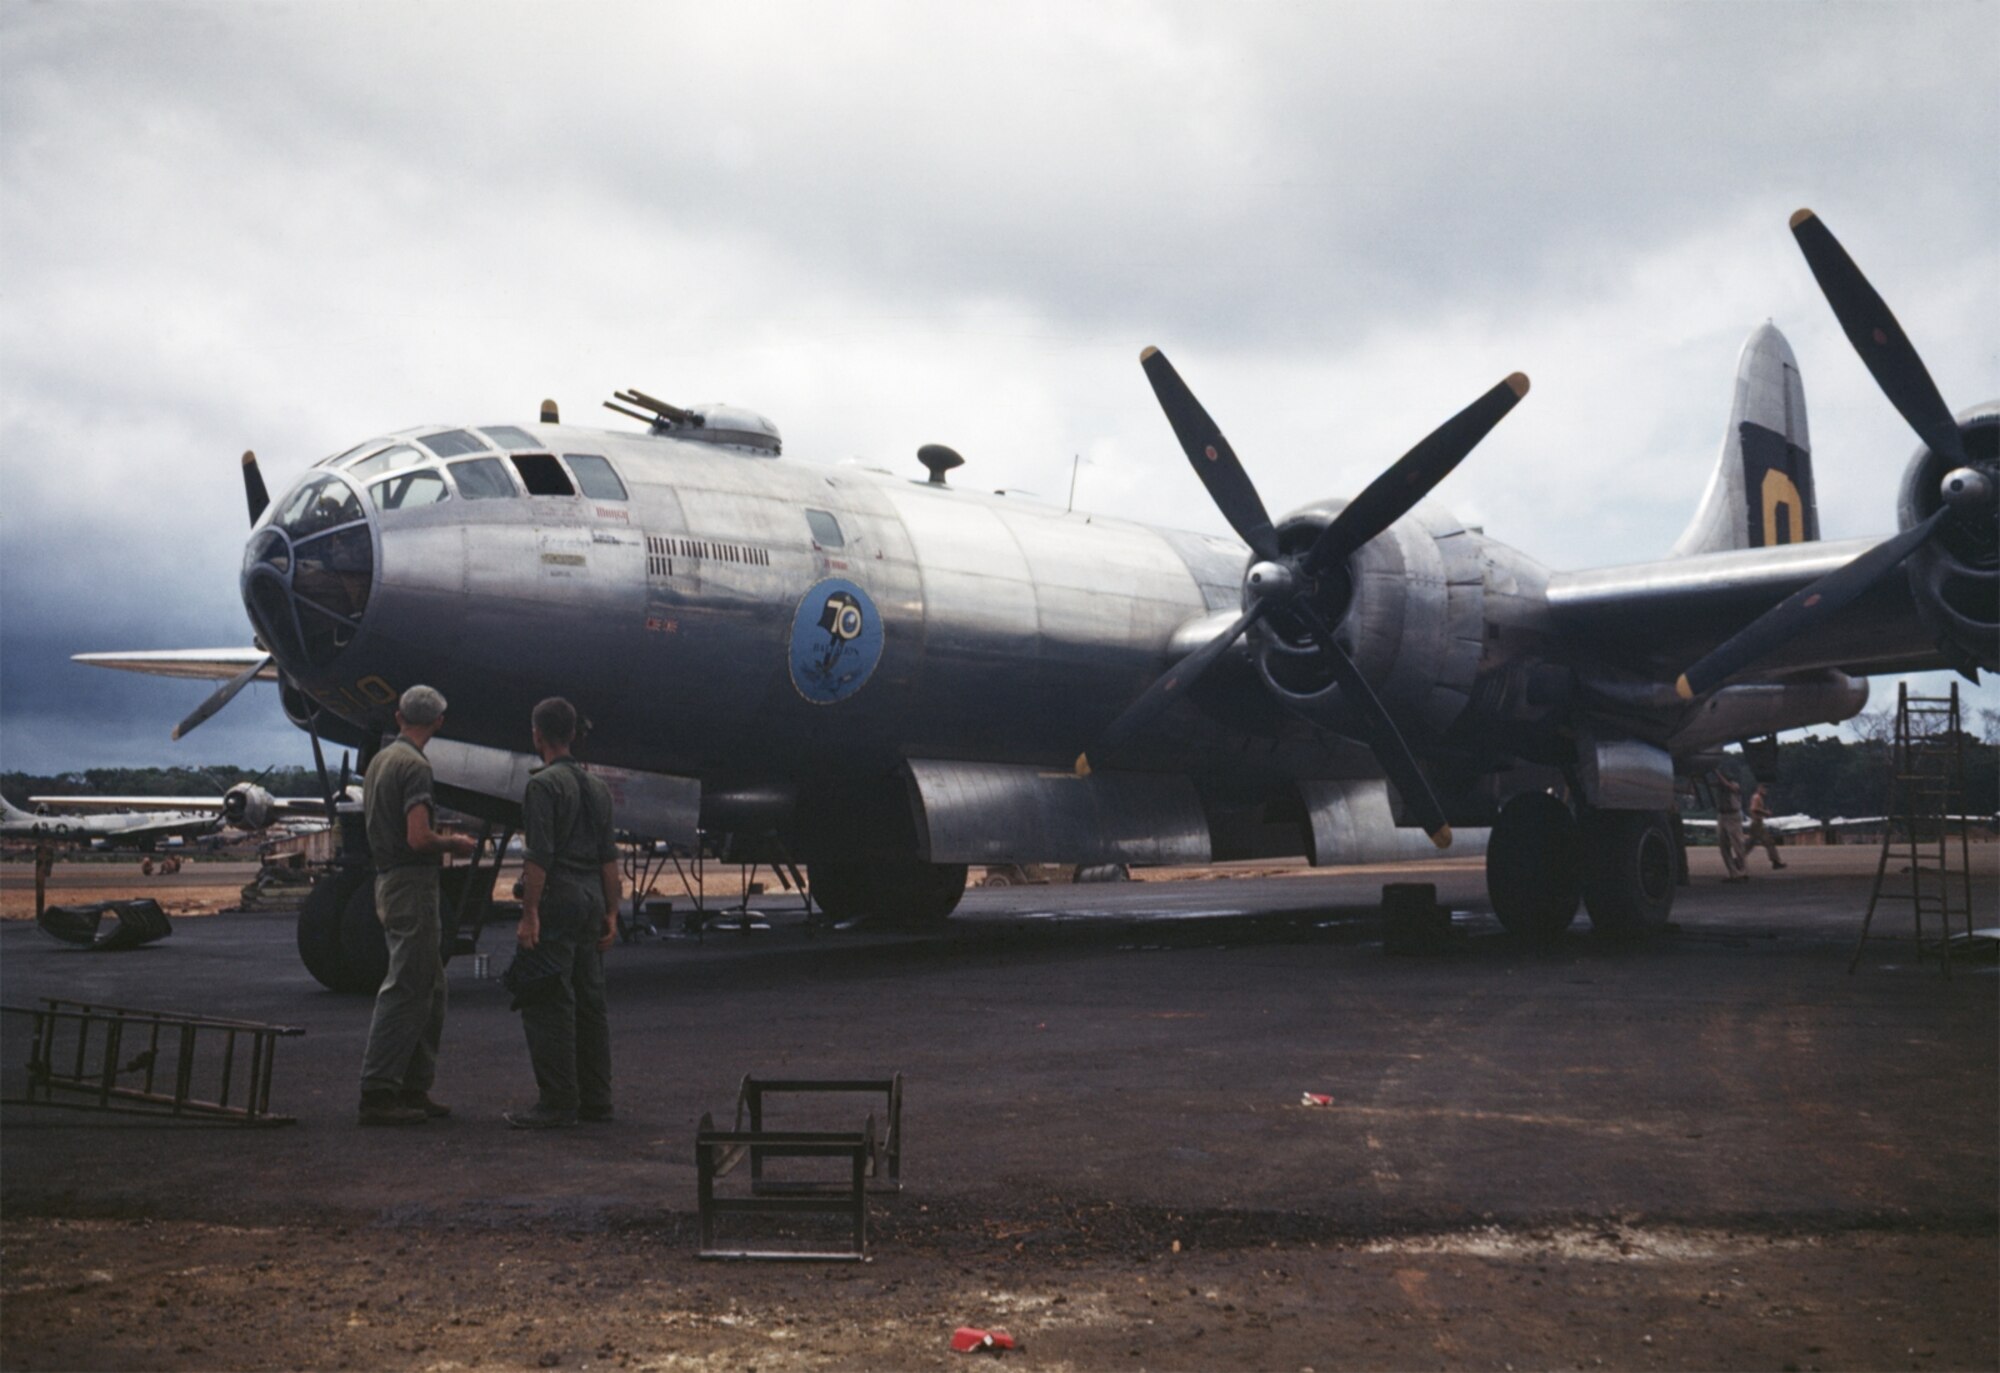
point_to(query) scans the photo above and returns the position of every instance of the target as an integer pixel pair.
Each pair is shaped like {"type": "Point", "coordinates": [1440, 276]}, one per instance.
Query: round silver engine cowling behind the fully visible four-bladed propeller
{"type": "Point", "coordinates": [1409, 609]}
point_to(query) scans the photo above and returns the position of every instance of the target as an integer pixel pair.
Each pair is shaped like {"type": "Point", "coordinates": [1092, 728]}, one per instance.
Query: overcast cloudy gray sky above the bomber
{"type": "Point", "coordinates": [885, 225]}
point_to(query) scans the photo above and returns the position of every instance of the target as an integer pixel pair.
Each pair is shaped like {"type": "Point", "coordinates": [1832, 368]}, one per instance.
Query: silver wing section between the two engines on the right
{"type": "Point", "coordinates": [1659, 617]}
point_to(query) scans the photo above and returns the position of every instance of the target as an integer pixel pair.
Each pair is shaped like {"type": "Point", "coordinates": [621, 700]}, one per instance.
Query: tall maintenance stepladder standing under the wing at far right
{"type": "Point", "coordinates": [1927, 804]}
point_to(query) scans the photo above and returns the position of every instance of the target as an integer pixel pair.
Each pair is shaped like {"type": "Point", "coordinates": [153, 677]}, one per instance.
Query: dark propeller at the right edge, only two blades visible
{"type": "Point", "coordinates": [1899, 371]}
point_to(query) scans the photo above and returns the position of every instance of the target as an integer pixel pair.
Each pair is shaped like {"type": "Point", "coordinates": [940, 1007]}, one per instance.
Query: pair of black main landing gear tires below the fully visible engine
{"type": "Point", "coordinates": [1543, 862]}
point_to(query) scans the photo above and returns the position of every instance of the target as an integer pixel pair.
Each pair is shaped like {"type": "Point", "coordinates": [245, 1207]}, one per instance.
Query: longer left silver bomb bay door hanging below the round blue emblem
{"type": "Point", "coordinates": [1005, 814]}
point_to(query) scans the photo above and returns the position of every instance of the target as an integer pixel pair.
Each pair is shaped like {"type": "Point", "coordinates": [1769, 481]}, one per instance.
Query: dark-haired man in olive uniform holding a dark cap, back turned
{"type": "Point", "coordinates": [571, 892]}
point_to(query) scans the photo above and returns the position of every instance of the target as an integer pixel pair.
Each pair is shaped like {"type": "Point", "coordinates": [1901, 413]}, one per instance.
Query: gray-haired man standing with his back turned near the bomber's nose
{"type": "Point", "coordinates": [409, 1020]}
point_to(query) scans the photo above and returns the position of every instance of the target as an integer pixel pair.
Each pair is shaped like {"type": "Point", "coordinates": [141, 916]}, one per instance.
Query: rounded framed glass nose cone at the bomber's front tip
{"type": "Point", "coordinates": [309, 575]}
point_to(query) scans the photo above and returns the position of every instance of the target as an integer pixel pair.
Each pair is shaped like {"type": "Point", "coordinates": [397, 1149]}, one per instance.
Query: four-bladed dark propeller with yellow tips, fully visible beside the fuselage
{"type": "Point", "coordinates": [1281, 583]}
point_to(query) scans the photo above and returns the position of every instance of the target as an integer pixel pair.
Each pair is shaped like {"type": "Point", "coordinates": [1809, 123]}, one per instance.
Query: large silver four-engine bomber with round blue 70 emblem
{"type": "Point", "coordinates": [893, 679]}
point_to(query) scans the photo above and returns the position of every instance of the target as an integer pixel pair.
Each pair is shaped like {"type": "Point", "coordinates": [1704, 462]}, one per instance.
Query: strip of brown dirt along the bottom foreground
{"type": "Point", "coordinates": [189, 1296]}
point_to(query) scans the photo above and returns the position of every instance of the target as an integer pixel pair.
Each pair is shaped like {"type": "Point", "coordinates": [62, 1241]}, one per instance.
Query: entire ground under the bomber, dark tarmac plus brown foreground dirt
{"type": "Point", "coordinates": [1715, 1154]}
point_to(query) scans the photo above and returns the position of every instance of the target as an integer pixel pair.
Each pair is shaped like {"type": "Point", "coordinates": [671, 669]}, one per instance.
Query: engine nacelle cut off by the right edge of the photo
{"type": "Point", "coordinates": [1955, 579]}
